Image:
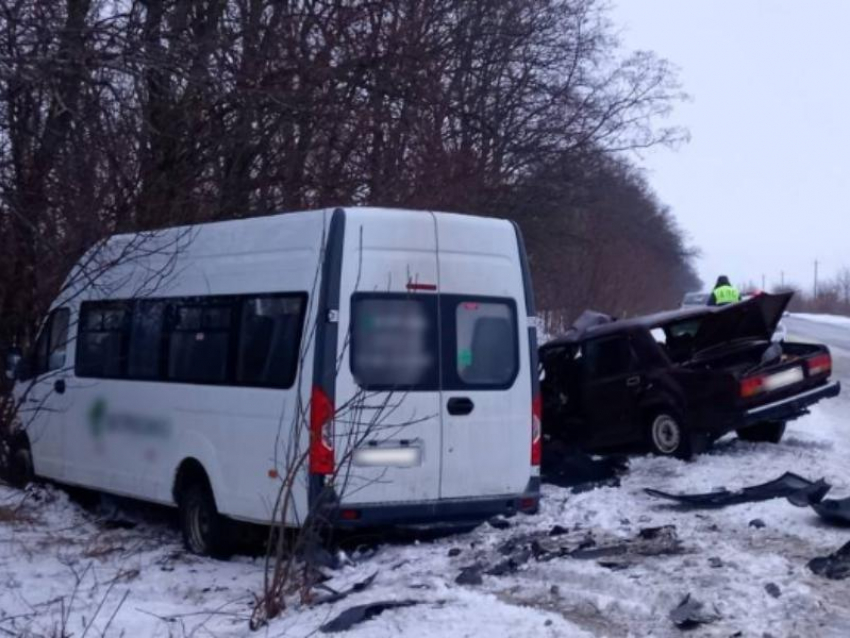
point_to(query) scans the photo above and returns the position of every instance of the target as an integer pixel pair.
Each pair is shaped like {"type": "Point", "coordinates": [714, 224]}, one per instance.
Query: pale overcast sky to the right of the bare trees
{"type": "Point", "coordinates": [764, 184]}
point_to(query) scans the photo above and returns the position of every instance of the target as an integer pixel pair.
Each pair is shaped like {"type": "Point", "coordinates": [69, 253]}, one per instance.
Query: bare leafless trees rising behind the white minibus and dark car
{"type": "Point", "coordinates": [121, 115]}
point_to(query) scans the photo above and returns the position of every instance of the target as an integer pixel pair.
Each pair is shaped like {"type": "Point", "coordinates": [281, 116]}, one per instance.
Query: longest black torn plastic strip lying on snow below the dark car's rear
{"type": "Point", "coordinates": [788, 485]}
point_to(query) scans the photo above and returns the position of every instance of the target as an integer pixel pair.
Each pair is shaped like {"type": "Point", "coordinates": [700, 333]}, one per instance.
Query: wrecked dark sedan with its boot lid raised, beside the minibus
{"type": "Point", "coordinates": [679, 380]}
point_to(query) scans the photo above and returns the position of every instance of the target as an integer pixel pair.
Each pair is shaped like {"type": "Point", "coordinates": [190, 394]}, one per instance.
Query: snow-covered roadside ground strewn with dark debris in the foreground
{"type": "Point", "coordinates": [60, 565]}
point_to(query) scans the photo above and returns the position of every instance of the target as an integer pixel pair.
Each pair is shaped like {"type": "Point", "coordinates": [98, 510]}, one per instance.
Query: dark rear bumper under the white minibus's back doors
{"type": "Point", "coordinates": [448, 512]}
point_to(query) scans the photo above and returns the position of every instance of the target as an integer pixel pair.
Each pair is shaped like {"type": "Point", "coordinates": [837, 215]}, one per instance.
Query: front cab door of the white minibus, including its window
{"type": "Point", "coordinates": [43, 398]}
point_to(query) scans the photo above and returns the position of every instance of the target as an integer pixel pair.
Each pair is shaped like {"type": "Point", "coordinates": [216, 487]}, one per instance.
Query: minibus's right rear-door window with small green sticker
{"type": "Point", "coordinates": [486, 353]}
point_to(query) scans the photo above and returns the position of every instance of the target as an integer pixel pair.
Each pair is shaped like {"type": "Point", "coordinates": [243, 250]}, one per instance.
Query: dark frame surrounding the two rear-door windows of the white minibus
{"type": "Point", "coordinates": [445, 307]}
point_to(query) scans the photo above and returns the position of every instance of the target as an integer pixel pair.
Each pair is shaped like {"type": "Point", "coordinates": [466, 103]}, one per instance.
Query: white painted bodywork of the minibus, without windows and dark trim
{"type": "Point", "coordinates": [130, 437]}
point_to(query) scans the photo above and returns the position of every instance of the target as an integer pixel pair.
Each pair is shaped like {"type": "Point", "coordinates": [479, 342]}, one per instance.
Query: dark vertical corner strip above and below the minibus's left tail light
{"type": "Point", "coordinates": [327, 332]}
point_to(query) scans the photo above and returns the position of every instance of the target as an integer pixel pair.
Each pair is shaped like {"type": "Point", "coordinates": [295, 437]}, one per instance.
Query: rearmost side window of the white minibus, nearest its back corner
{"type": "Point", "coordinates": [270, 335]}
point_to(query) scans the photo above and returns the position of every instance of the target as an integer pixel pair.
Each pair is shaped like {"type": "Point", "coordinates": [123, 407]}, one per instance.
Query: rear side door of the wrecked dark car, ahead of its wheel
{"type": "Point", "coordinates": [611, 382]}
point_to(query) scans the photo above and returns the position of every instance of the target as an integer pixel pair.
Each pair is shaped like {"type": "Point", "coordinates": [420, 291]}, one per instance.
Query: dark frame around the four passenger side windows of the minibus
{"type": "Point", "coordinates": [235, 303]}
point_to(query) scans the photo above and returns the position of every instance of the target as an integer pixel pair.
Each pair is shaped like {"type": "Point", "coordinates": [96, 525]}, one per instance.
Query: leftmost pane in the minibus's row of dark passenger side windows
{"type": "Point", "coordinates": [101, 348]}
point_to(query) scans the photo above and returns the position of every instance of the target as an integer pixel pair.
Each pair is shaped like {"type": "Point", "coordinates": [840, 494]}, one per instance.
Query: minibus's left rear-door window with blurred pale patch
{"type": "Point", "coordinates": [394, 342]}
